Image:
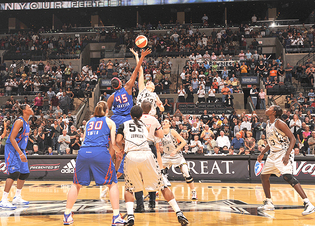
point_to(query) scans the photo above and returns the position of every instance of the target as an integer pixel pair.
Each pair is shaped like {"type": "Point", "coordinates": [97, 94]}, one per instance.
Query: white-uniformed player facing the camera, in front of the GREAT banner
{"type": "Point", "coordinates": [173, 156]}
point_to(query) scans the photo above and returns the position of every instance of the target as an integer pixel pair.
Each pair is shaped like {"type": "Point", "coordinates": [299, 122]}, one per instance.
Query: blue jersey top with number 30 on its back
{"type": "Point", "coordinates": [97, 133]}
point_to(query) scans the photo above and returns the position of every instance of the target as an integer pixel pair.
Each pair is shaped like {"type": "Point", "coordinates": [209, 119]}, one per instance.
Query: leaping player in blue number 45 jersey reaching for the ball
{"type": "Point", "coordinates": [121, 100]}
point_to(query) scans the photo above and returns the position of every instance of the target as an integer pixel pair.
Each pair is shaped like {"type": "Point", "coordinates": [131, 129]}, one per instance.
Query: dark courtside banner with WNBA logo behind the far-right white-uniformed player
{"type": "Point", "coordinates": [302, 170]}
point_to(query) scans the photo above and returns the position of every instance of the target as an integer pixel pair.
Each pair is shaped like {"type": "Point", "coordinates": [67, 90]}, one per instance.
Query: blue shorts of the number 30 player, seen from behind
{"type": "Point", "coordinates": [96, 164]}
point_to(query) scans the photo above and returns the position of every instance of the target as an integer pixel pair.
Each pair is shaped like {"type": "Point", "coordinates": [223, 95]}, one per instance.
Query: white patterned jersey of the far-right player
{"type": "Point", "coordinates": [277, 140]}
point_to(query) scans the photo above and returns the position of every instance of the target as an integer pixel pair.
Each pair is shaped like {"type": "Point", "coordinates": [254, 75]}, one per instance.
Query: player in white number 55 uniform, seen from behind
{"type": "Point", "coordinates": [140, 166]}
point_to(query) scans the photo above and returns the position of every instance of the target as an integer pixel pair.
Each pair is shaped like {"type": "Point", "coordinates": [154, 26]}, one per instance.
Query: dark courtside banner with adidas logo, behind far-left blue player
{"type": "Point", "coordinates": [46, 169]}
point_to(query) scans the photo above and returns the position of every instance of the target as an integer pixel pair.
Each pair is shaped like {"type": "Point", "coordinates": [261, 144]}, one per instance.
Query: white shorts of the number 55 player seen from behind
{"type": "Point", "coordinates": [142, 172]}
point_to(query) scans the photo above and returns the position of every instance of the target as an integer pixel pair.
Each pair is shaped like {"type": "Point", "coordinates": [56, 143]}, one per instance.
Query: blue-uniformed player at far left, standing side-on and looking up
{"type": "Point", "coordinates": [15, 158]}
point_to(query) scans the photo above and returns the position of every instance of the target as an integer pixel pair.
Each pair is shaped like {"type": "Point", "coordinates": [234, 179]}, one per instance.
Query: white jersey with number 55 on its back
{"type": "Point", "coordinates": [136, 139]}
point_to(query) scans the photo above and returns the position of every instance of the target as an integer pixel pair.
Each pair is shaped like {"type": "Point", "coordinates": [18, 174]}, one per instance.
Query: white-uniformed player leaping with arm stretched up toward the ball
{"type": "Point", "coordinates": [146, 92]}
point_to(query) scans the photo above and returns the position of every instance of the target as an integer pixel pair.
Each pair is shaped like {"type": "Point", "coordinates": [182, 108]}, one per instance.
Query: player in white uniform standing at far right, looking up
{"type": "Point", "coordinates": [281, 142]}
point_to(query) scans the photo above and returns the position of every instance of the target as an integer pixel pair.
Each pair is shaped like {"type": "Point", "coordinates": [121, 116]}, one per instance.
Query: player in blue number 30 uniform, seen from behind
{"type": "Point", "coordinates": [95, 162]}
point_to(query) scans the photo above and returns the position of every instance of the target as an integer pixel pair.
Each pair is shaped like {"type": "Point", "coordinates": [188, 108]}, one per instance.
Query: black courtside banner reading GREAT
{"type": "Point", "coordinates": [209, 169]}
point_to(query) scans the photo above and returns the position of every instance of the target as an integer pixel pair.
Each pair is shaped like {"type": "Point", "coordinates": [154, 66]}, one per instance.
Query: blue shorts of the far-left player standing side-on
{"type": "Point", "coordinates": [13, 161]}
